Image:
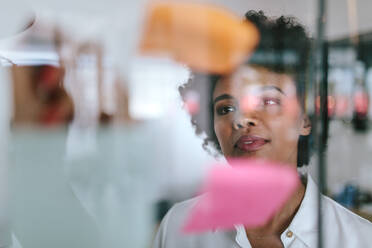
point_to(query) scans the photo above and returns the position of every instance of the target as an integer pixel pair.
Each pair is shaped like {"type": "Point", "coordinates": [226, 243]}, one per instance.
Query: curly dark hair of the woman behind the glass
{"type": "Point", "coordinates": [284, 47]}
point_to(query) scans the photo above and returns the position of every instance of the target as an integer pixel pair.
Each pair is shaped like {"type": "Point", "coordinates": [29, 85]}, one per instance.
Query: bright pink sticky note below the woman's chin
{"type": "Point", "coordinates": [248, 192]}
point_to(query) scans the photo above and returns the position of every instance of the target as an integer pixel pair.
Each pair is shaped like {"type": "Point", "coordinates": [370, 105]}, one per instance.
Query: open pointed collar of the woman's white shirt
{"type": "Point", "coordinates": [304, 224]}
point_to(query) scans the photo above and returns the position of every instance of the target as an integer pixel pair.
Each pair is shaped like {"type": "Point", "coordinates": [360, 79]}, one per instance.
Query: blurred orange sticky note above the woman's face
{"type": "Point", "coordinates": [205, 37]}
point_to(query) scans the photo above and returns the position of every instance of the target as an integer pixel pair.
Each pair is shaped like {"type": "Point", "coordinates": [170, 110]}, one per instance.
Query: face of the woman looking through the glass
{"type": "Point", "coordinates": [257, 115]}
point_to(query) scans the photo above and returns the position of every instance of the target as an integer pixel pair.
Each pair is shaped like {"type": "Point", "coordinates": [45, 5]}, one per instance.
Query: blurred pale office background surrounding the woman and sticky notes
{"type": "Point", "coordinates": [96, 144]}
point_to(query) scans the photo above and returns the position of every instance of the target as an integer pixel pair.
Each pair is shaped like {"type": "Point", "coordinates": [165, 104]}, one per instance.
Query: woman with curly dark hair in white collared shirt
{"type": "Point", "coordinates": [258, 112]}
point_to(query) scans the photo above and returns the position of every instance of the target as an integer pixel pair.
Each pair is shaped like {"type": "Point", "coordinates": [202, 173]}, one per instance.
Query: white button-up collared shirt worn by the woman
{"type": "Point", "coordinates": [342, 228]}
